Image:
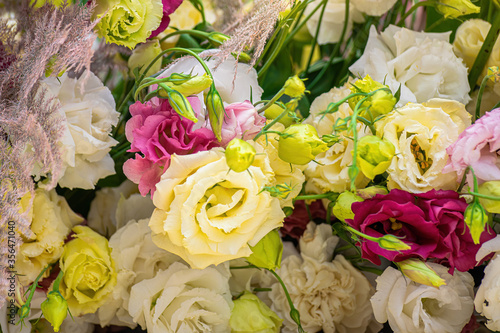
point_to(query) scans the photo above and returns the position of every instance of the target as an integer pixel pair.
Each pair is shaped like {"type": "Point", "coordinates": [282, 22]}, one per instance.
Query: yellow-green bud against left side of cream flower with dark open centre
{"type": "Point", "coordinates": [374, 155]}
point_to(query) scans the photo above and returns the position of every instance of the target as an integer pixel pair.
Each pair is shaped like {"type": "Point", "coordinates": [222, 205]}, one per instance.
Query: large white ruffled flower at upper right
{"type": "Point", "coordinates": [422, 64]}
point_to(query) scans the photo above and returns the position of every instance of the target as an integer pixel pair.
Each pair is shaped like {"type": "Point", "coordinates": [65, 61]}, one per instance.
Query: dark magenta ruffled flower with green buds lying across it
{"type": "Point", "coordinates": [431, 223]}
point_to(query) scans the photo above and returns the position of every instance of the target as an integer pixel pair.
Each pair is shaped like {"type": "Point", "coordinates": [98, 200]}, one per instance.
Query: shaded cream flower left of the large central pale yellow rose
{"type": "Point", "coordinates": [113, 207]}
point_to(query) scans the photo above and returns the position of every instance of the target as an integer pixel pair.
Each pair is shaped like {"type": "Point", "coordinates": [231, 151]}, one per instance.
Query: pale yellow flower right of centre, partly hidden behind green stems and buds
{"type": "Point", "coordinates": [331, 171]}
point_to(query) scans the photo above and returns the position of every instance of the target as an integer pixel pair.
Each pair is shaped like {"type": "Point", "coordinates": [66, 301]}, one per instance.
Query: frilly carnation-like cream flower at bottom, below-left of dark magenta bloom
{"type": "Point", "coordinates": [330, 295]}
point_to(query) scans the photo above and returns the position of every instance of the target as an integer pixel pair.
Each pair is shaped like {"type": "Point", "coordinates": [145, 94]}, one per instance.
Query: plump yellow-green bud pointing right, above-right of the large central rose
{"type": "Point", "coordinates": [299, 144]}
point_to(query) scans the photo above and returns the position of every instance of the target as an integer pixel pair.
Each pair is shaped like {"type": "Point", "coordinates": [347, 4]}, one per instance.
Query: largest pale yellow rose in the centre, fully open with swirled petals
{"type": "Point", "coordinates": [207, 214]}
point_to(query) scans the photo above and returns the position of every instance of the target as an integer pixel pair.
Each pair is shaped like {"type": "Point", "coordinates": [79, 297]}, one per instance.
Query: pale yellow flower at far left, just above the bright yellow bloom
{"type": "Point", "coordinates": [52, 220]}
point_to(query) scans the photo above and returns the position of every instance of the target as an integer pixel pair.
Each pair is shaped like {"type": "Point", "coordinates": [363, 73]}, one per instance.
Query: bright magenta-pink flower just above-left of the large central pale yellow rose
{"type": "Point", "coordinates": [156, 132]}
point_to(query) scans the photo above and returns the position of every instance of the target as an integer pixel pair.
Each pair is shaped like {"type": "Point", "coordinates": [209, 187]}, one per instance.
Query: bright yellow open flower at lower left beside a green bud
{"type": "Point", "coordinates": [89, 271]}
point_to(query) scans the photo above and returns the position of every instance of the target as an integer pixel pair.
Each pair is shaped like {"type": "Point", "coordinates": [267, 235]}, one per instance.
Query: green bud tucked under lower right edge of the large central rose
{"type": "Point", "coordinates": [267, 252]}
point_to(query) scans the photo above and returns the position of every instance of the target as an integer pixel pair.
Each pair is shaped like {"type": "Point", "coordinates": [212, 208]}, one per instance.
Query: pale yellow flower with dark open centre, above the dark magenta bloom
{"type": "Point", "coordinates": [421, 133]}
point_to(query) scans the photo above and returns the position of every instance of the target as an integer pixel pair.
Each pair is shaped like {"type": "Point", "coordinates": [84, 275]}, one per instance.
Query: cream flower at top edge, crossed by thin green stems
{"type": "Point", "coordinates": [332, 22]}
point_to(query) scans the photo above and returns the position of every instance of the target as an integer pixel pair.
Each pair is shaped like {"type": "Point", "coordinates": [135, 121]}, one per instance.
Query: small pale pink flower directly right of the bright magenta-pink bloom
{"type": "Point", "coordinates": [241, 121]}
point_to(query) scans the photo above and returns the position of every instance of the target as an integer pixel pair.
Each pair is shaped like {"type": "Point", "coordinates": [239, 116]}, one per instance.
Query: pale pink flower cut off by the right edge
{"type": "Point", "coordinates": [478, 147]}
